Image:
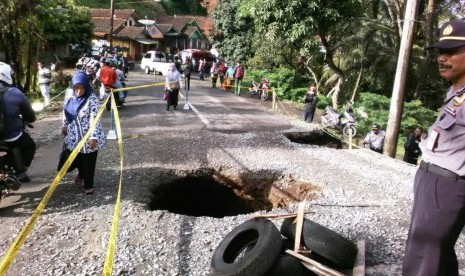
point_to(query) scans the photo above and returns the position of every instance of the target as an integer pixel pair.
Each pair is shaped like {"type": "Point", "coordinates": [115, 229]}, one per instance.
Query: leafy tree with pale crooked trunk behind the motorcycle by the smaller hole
{"type": "Point", "coordinates": [306, 24]}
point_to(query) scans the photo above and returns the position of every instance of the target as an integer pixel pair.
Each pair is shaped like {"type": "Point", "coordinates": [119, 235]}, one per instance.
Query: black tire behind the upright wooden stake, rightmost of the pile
{"type": "Point", "coordinates": [324, 242]}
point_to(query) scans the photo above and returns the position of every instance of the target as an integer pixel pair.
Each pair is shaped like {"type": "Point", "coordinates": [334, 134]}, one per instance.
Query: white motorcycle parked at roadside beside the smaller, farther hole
{"type": "Point", "coordinates": [344, 122]}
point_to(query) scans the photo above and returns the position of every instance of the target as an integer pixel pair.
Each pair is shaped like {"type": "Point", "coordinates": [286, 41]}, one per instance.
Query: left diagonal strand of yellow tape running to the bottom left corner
{"type": "Point", "coordinates": [19, 241]}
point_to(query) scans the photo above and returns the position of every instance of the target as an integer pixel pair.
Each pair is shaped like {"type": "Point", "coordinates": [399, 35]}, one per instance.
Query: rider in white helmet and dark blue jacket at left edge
{"type": "Point", "coordinates": [16, 111]}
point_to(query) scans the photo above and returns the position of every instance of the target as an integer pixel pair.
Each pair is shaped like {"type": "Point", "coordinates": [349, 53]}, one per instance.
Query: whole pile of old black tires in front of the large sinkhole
{"type": "Point", "coordinates": [257, 247]}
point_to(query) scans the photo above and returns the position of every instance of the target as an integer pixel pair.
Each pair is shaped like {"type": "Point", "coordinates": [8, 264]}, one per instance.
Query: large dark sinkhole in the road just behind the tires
{"type": "Point", "coordinates": [207, 192]}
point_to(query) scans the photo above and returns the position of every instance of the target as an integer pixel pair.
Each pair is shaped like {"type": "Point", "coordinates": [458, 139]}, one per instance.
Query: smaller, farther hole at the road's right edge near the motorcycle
{"type": "Point", "coordinates": [315, 138]}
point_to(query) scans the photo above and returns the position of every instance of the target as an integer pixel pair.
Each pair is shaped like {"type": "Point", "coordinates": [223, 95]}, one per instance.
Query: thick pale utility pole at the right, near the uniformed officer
{"type": "Point", "coordinates": [398, 91]}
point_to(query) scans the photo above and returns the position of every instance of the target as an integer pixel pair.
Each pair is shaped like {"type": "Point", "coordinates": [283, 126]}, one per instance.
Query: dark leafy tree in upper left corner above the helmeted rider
{"type": "Point", "coordinates": [28, 27]}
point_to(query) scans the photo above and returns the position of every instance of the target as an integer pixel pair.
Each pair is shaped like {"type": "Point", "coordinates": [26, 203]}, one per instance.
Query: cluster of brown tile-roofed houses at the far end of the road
{"type": "Point", "coordinates": [170, 34]}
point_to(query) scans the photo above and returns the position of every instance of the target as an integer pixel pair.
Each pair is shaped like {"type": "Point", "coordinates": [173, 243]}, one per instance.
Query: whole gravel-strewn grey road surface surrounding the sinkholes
{"type": "Point", "coordinates": [358, 193]}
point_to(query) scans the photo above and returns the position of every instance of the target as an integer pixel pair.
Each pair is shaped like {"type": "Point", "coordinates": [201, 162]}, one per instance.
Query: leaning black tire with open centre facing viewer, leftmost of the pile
{"type": "Point", "coordinates": [249, 249]}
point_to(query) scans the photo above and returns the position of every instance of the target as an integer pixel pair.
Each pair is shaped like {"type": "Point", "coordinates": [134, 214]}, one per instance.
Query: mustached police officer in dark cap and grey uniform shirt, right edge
{"type": "Point", "coordinates": [438, 214]}
